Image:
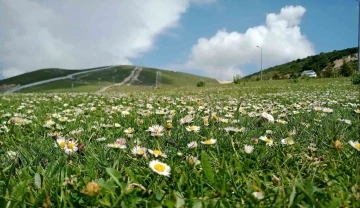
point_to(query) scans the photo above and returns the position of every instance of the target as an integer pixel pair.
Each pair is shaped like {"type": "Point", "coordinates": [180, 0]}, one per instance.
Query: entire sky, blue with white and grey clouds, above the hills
{"type": "Point", "coordinates": [215, 38]}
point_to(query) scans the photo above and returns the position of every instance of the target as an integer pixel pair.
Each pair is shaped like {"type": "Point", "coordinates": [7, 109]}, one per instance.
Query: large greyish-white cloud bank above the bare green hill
{"type": "Point", "coordinates": [80, 34]}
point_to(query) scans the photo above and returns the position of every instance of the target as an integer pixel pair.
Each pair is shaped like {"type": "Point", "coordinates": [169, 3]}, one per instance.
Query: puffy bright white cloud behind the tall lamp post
{"type": "Point", "coordinates": [280, 39]}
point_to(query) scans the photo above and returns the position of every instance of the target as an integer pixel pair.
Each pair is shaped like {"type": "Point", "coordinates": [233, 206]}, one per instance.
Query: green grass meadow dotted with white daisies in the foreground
{"type": "Point", "coordinates": [312, 172]}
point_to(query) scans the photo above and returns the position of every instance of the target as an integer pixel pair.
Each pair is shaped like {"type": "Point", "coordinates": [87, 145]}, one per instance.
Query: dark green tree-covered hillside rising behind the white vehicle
{"type": "Point", "coordinates": [317, 63]}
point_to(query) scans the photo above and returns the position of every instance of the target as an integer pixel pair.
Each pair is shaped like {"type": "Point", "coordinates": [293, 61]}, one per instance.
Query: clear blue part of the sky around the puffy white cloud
{"type": "Point", "coordinates": [328, 24]}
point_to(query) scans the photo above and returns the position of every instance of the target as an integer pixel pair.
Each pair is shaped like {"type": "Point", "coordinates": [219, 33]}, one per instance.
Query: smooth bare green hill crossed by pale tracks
{"type": "Point", "coordinates": [105, 76]}
